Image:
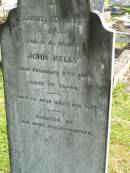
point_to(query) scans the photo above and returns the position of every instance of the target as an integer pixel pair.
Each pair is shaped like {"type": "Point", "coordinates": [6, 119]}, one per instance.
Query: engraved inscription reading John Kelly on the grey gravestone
{"type": "Point", "coordinates": [55, 57]}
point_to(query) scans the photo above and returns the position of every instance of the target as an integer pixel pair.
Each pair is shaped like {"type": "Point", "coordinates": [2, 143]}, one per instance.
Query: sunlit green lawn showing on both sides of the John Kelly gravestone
{"type": "Point", "coordinates": [119, 160]}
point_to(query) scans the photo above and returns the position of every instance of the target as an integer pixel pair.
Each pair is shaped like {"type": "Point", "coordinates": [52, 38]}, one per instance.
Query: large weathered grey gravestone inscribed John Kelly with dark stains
{"type": "Point", "coordinates": [57, 77]}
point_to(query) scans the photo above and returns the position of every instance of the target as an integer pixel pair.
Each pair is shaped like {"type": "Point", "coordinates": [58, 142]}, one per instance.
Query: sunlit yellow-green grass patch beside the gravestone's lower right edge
{"type": "Point", "coordinates": [119, 160]}
